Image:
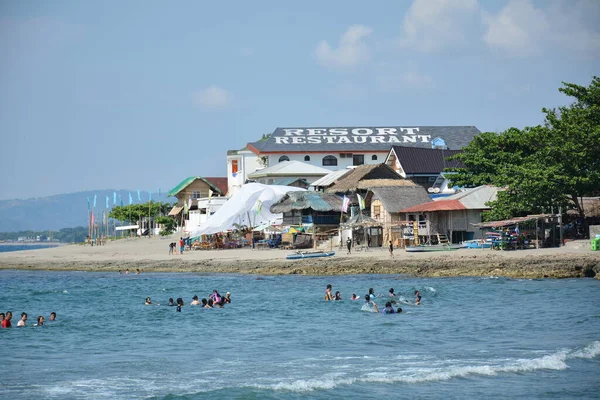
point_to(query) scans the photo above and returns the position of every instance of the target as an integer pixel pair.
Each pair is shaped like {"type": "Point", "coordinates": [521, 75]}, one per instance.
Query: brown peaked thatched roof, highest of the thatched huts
{"type": "Point", "coordinates": [365, 177]}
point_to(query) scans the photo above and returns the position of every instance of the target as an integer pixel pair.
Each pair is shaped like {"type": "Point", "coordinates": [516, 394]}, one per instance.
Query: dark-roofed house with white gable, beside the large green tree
{"type": "Point", "coordinates": [422, 165]}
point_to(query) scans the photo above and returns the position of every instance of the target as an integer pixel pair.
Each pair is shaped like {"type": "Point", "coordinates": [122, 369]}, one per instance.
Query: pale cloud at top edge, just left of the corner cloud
{"type": "Point", "coordinates": [435, 25]}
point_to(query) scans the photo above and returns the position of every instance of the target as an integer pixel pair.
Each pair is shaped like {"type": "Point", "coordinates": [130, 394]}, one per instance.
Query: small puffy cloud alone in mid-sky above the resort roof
{"type": "Point", "coordinates": [351, 52]}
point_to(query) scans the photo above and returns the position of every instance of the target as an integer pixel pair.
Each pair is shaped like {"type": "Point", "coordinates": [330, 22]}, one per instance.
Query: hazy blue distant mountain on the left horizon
{"type": "Point", "coordinates": [63, 210]}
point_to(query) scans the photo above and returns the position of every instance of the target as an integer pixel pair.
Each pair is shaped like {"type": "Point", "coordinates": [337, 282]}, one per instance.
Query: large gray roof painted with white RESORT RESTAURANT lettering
{"type": "Point", "coordinates": [363, 139]}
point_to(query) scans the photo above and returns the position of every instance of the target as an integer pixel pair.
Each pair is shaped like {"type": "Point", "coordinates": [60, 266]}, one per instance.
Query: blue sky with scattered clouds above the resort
{"type": "Point", "coordinates": [142, 94]}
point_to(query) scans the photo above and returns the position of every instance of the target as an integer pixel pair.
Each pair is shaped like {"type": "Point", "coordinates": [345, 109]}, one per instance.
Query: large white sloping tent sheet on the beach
{"type": "Point", "coordinates": [249, 206]}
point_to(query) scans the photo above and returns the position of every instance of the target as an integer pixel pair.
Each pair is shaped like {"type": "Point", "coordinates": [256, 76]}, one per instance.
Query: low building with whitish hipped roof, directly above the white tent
{"type": "Point", "coordinates": [286, 170]}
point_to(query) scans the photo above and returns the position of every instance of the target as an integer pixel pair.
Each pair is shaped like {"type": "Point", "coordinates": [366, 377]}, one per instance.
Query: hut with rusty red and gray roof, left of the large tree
{"type": "Point", "coordinates": [452, 217]}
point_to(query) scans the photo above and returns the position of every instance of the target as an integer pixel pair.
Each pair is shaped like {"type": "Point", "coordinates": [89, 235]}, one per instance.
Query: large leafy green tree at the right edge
{"type": "Point", "coordinates": [541, 167]}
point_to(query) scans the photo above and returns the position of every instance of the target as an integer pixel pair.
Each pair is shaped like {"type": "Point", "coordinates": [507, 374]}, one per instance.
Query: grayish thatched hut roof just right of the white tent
{"type": "Point", "coordinates": [303, 200]}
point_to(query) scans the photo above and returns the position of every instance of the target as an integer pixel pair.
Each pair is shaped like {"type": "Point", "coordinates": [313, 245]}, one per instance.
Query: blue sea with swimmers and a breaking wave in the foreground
{"type": "Point", "coordinates": [471, 338]}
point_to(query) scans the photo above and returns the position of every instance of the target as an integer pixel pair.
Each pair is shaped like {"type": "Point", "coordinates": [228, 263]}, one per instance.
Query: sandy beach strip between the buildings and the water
{"type": "Point", "coordinates": [151, 255]}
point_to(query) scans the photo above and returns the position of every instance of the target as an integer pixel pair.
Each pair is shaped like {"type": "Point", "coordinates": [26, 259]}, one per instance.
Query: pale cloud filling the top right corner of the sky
{"type": "Point", "coordinates": [521, 29]}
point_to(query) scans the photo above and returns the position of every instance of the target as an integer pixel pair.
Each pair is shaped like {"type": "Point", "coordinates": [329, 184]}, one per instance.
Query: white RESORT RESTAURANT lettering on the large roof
{"type": "Point", "coordinates": [392, 136]}
